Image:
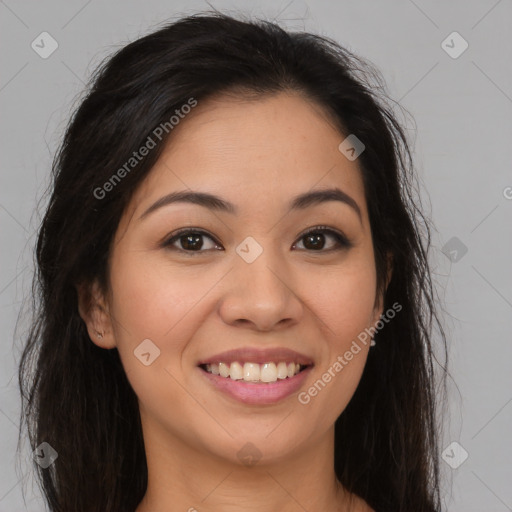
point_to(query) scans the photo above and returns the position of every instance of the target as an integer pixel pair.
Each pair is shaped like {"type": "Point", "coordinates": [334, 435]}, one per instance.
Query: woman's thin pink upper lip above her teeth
{"type": "Point", "coordinates": [258, 355]}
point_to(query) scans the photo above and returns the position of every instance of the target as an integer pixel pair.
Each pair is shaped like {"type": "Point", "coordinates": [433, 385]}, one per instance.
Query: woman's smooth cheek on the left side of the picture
{"type": "Point", "coordinates": [161, 303]}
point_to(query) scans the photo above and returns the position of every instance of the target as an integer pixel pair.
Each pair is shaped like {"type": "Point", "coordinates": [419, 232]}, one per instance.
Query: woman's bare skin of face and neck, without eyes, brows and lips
{"type": "Point", "coordinates": [258, 155]}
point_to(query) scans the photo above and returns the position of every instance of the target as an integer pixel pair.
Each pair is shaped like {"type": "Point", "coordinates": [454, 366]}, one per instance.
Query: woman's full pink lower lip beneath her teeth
{"type": "Point", "coordinates": [259, 393]}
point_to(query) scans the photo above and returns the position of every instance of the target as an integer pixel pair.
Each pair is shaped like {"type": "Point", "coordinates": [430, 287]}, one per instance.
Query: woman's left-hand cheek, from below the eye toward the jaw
{"type": "Point", "coordinates": [152, 302]}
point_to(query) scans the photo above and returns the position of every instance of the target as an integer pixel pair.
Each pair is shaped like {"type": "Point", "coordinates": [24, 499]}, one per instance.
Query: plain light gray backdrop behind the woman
{"type": "Point", "coordinates": [462, 109]}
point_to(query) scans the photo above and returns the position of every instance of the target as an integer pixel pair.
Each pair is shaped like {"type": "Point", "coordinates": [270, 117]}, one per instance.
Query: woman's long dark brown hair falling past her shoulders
{"type": "Point", "coordinates": [76, 396]}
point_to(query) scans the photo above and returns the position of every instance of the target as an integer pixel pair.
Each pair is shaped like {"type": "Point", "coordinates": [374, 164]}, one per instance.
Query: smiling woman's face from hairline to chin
{"type": "Point", "coordinates": [267, 279]}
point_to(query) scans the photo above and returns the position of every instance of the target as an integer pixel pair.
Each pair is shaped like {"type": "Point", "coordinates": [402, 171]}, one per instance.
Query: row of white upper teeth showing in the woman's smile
{"type": "Point", "coordinates": [254, 372]}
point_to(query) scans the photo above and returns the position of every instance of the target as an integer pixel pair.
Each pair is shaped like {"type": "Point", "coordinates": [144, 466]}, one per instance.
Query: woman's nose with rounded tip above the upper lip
{"type": "Point", "coordinates": [260, 296]}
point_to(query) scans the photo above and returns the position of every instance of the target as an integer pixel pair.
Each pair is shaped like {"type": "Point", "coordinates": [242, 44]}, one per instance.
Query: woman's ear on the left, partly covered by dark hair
{"type": "Point", "coordinates": [94, 311]}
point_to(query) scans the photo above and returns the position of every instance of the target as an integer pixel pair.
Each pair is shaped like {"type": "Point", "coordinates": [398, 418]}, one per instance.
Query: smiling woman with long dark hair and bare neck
{"type": "Point", "coordinates": [235, 300]}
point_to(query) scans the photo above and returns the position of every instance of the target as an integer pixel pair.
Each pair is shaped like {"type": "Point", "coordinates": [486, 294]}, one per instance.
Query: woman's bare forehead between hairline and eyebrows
{"type": "Point", "coordinates": [253, 152]}
